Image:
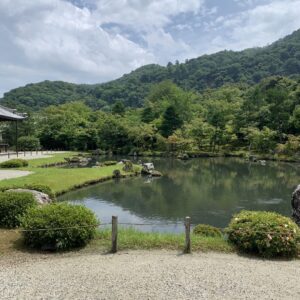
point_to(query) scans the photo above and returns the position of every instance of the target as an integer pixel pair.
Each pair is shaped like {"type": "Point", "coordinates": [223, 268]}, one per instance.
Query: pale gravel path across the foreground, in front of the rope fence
{"type": "Point", "coordinates": [148, 275]}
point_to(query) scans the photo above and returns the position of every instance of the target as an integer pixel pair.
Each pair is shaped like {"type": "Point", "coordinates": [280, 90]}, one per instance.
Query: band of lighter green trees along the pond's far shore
{"type": "Point", "coordinates": [264, 118]}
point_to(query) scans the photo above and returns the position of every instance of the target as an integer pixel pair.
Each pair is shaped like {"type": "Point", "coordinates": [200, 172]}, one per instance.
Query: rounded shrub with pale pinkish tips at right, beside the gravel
{"type": "Point", "coordinates": [265, 233]}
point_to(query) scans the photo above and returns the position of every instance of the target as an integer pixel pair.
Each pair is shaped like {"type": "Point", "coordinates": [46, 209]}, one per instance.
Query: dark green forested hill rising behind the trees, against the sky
{"type": "Point", "coordinates": [209, 71]}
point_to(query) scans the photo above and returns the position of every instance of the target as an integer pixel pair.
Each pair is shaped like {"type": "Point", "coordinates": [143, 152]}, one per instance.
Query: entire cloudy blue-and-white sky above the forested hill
{"type": "Point", "coordinates": [92, 41]}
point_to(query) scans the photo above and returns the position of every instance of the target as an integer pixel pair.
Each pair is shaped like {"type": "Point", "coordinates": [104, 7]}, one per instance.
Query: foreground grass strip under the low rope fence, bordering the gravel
{"type": "Point", "coordinates": [128, 239]}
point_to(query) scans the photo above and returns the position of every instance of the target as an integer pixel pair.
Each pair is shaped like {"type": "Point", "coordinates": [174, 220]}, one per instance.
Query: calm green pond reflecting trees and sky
{"type": "Point", "coordinates": [209, 190]}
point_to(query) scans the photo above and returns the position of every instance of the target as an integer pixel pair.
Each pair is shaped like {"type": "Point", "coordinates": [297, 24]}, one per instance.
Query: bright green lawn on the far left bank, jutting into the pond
{"type": "Point", "coordinates": [59, 179]}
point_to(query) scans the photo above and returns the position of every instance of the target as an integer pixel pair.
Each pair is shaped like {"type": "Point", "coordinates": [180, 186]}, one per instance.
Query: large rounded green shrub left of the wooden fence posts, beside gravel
{"type": "Point", "coordinates": [79, 222]}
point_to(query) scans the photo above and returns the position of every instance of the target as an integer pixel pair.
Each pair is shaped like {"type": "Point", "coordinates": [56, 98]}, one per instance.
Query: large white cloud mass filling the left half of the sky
{"type": "Point", "coordinates": [52, 39]}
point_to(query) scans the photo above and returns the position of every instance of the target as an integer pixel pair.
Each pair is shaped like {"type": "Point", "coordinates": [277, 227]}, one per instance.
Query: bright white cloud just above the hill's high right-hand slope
{"type": "Point", "coordinates": [258, 26]}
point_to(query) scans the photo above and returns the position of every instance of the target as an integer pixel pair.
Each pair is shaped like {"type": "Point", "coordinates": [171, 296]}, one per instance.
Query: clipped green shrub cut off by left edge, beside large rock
{"type": "Point", "coordinates": [13, 206]}
